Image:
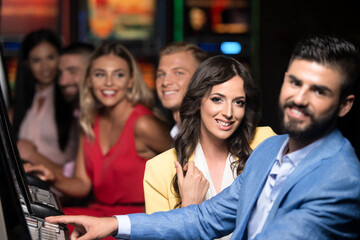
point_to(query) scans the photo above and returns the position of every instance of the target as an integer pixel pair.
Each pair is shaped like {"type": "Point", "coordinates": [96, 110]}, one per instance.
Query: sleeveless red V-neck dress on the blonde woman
{"type": "Point", "coordinates": [117, 177]}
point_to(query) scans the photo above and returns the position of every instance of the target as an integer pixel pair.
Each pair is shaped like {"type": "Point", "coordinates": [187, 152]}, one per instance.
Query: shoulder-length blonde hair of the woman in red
{"type": "Point", "coordinates": [90, 107]}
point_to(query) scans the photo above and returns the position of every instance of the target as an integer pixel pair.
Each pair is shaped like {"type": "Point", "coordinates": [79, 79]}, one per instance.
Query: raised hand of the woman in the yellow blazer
{"type": "Point", "coordinates": [193, 186]}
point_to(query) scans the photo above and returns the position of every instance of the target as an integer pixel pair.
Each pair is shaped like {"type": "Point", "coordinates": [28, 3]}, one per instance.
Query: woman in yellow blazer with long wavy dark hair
{"type": "Point", "coordinates": [218, 131]}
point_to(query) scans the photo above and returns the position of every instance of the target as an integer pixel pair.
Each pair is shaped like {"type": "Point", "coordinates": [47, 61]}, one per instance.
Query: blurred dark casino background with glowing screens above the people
{"type": "Point", "coordinates": [258, 33]}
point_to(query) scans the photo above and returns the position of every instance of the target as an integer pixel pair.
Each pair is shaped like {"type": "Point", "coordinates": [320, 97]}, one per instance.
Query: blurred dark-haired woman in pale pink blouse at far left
{"type": "Point", "coordinates": [41, 118]}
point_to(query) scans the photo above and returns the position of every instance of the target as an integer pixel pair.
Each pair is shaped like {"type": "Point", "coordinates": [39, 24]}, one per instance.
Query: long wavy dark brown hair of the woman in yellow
{"type": "Point", "coordinates": [214, 71]}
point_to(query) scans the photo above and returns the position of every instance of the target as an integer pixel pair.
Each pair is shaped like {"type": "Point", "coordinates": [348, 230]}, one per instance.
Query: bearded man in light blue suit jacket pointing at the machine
{"type": "Point", "coordinates": [301, 185]}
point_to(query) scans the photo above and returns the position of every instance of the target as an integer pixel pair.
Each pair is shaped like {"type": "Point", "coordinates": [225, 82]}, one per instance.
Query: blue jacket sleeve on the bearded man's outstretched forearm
{"type": "Point", "coordinates": [211, 219]}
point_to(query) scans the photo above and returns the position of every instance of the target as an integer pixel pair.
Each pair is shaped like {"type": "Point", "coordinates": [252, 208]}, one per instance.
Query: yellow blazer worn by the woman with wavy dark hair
{"type": "Point", "coordinates": [160, 171]}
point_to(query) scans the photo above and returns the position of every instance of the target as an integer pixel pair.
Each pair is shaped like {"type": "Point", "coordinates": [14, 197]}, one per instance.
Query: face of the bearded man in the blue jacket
{"type": "Point", "coordinates": [310, 108]}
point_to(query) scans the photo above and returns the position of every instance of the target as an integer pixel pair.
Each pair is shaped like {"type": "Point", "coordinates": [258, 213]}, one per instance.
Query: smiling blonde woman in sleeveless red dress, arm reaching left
{"type": "Point", "coordinates": [119, 134]}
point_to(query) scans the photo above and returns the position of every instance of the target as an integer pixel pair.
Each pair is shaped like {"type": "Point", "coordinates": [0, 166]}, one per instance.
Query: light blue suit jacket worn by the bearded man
{"type": "Point", "coordinates": [319, 200]}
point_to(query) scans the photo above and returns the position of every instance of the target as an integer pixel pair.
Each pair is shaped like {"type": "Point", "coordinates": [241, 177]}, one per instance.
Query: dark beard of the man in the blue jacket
{"type": "Point", "coordinates": [317, 128]}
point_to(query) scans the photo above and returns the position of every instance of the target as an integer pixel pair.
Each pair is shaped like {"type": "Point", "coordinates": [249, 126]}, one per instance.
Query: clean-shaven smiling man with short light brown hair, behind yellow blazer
{"type": "Point", "coordinates": [178, 62]}
